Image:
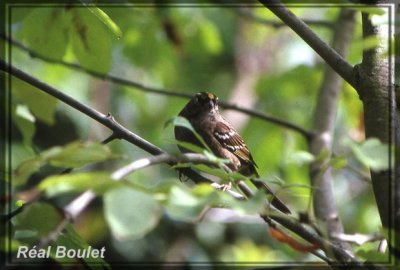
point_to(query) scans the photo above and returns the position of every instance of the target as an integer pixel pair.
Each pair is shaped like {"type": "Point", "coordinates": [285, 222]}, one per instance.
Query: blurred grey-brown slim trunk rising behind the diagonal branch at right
{"type": "Point", "coordinates": [324, 121]}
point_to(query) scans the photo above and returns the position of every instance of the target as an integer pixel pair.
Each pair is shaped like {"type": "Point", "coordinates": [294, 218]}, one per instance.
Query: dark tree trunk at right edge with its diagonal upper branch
{"type": "Point", "coordinates": [372, 80]}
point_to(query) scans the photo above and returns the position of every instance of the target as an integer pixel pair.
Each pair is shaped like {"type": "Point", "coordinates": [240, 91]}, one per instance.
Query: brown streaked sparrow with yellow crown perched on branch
{"type": "Point", "coordinates": [222, 139]}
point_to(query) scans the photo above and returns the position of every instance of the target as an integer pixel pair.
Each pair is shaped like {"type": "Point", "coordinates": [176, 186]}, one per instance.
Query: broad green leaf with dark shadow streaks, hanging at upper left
{"type": "Point", "coordinates": [91, 41]}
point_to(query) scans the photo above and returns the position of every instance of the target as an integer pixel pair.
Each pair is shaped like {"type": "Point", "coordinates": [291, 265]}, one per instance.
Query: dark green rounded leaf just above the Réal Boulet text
{"type": "Point", "coordinates": [39, 218]}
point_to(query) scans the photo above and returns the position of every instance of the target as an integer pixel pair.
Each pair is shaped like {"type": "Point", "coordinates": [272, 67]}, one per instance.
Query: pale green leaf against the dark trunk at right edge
{"type": "Point", "coordinates": [372, 153]}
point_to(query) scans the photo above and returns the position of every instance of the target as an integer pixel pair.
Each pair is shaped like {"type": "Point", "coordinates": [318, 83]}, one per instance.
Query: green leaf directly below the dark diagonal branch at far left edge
{"type": "Point", "coordinates": [40, 104]}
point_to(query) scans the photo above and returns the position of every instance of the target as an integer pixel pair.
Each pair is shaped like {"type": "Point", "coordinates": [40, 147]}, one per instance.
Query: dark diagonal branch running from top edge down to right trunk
{"type": "Point", "coordinates": [331, 57]}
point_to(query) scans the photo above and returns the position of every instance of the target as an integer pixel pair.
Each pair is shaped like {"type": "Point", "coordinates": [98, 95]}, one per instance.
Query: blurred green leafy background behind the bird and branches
{"type": "Point", "coordinates": [151, 216]}
